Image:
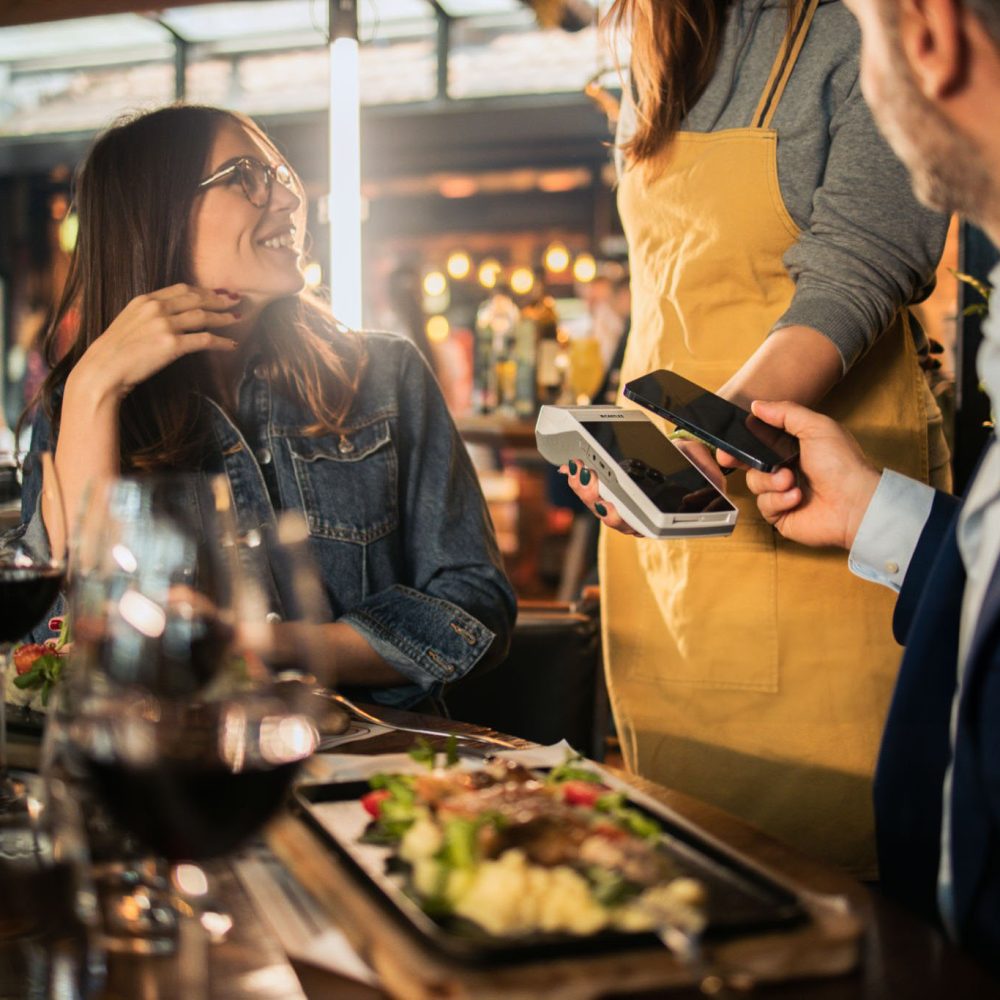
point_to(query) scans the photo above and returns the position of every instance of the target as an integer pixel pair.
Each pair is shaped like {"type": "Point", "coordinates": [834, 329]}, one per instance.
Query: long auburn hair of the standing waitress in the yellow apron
{"type": "Point", "coordinates": [675, 47]}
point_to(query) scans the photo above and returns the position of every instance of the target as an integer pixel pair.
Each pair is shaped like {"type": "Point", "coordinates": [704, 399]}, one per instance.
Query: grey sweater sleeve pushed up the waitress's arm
{"type": "Point", "coordinates": [869, 247]}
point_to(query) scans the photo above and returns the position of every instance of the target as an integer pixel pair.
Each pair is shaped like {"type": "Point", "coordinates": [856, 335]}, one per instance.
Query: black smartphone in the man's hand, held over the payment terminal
{"type": "Point", "coordinates": [715, 420]}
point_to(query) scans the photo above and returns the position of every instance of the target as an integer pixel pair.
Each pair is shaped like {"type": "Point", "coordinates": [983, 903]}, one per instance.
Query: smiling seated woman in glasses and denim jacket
{"type": "Point", "coordinates": [198, 348]}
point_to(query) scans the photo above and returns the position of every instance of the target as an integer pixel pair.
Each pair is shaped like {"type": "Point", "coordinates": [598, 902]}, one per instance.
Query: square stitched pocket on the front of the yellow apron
{"type": "Point", "coordinates": [716, 603]}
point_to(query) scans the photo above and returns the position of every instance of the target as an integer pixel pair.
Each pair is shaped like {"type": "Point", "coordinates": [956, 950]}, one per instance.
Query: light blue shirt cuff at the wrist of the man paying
{"type": "Point", "coordinates": [890, 529]}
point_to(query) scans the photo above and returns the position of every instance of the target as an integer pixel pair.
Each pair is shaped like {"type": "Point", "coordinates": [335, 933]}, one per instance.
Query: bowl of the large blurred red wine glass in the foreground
{"type": "Point", "coordinates": [188, 736]}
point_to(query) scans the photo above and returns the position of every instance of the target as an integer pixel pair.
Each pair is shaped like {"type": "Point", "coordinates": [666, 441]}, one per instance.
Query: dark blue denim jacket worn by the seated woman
{"type": "Point", "coordinates": [398, 524]}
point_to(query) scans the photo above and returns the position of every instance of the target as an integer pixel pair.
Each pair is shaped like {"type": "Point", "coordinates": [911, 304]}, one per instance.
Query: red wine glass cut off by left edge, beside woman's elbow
{"type": "Point", "coordinates": [32, 568]}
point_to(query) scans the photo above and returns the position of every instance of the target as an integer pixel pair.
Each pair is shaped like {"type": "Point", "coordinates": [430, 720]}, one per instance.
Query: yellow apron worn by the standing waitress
{"type": "Point", "coordinates": [748, 671]}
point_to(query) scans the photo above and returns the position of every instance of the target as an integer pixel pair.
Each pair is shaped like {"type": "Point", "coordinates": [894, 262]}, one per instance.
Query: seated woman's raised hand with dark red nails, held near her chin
{"type": "Point", "coordinates": [151, 332]}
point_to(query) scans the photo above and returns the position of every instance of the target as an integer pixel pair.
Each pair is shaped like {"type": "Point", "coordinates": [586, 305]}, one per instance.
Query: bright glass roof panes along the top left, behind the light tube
{"type": "Point", "coordinates": [269, 57]}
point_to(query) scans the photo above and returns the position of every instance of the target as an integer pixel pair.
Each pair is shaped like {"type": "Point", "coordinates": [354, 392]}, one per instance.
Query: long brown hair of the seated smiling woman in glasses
{"type": "Point", "coordinates": [133, 197]}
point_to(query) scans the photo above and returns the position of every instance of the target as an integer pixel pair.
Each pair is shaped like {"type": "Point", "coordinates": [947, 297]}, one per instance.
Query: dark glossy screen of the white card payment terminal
{"type": "Point", "coordinates": [657, 467]}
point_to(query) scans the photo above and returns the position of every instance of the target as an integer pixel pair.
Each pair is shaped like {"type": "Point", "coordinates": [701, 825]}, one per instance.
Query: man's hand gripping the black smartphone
{"type": "Point", "coordinates": [836, 480]}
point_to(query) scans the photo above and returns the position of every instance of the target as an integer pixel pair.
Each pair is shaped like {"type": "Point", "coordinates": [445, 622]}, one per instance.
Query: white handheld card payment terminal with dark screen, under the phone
{"type": "Point", "coordinates": [656, 488]}
